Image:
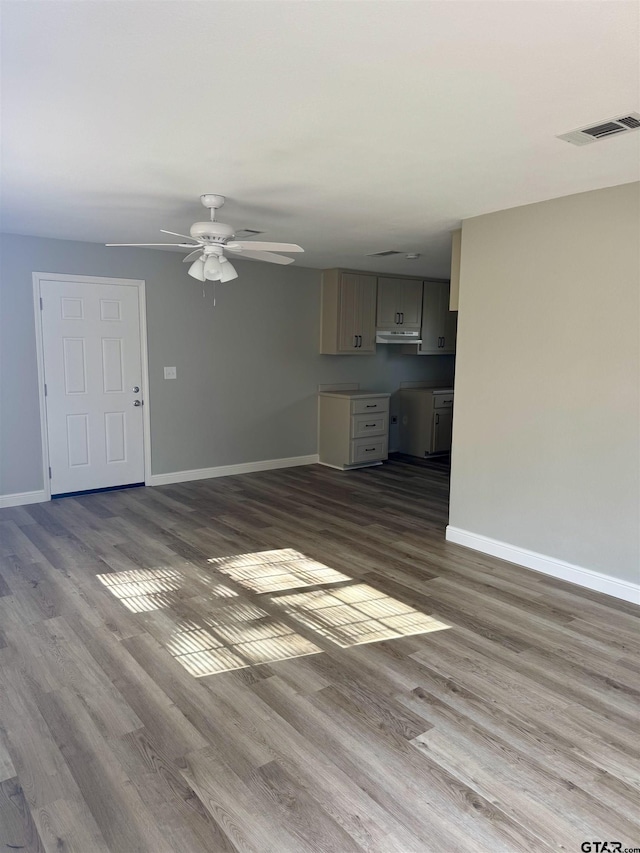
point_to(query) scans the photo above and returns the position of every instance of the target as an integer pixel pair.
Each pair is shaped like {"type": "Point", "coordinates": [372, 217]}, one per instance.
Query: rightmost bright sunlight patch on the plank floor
{"type": "Point", "coordinates": [356, 614]}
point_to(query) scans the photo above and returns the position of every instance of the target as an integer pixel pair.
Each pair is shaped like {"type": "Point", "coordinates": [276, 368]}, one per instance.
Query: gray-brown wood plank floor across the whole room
{"type": "Point", "coordinates": [296, 661]}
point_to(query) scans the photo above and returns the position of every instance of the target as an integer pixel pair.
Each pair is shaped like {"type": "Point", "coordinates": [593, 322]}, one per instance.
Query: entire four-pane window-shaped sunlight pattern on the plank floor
{"type": "Point", "coordinates": [237, 624]}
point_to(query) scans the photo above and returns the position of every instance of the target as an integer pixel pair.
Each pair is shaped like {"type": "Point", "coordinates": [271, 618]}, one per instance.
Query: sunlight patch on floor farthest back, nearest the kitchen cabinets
{"type": "Point", "coordinates": [274, 571]}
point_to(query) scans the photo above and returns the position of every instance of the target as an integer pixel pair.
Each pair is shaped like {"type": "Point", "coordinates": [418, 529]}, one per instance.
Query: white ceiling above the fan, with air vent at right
{"type": "Point", "coordinates": [348, 127]}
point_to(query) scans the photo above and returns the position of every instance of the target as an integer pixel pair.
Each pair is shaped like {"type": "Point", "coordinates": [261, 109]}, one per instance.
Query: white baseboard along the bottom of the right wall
{"type": "Point", "coordinates": [546, 565]}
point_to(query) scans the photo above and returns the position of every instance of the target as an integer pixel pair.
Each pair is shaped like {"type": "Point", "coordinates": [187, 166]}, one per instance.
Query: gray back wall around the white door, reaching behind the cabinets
{"type": "Point", "coordinates": [248, 369]}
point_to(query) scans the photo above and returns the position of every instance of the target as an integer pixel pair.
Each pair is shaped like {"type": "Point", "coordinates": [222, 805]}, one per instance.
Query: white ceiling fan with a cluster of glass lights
{"type": "Point", "coordinates": [212, 239]}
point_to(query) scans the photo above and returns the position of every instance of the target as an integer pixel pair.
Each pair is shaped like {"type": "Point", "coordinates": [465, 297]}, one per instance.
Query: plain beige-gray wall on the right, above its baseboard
{"type": "Point", "coordinates": [546, 436]}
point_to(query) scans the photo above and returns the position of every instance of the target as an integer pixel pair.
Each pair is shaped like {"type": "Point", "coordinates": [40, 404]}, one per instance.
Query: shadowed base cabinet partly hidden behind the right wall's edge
{"type": "Point", "coordinates": [426, 420]}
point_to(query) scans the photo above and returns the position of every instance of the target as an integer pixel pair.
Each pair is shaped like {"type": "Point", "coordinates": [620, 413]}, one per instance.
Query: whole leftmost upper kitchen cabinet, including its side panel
{"type": "Point", "coordinates": [348, 320]}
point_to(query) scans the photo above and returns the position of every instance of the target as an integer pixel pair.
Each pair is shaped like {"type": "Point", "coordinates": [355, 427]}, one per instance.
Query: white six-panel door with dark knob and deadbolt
{"type": "Point", "coordinates": [93, 376]}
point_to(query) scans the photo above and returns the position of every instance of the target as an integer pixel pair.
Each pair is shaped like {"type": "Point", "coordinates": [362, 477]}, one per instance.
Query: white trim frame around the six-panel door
{"type": "Point", "coordinates": [139, 284]}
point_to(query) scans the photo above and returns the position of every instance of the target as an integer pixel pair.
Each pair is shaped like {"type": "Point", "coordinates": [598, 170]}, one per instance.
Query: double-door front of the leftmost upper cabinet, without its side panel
{"type": "Point", "coordinates": [356, 314]}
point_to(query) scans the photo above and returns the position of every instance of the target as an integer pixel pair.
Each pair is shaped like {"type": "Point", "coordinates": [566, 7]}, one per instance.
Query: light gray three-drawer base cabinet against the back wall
{"type": "Point", "coordinates": [353, 428]}
